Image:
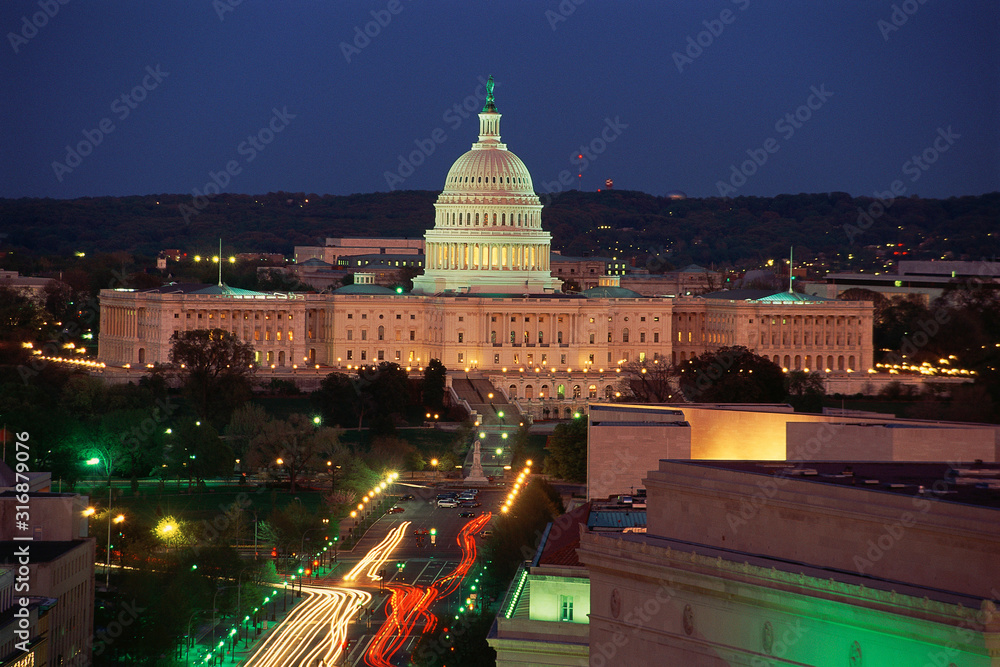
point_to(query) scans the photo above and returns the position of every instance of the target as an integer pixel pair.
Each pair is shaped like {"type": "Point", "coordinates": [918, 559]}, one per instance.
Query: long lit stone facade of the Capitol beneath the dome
{"type": "Point", "coordinates": [485, 333]}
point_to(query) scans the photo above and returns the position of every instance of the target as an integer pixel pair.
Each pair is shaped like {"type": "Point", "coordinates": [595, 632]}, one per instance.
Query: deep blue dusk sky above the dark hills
{"type": "Point", "coordinates": [559, 83]}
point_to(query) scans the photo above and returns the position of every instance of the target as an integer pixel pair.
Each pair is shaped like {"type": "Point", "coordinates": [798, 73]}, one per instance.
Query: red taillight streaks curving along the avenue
{"type": "Point", "coordinates": [408, 604]}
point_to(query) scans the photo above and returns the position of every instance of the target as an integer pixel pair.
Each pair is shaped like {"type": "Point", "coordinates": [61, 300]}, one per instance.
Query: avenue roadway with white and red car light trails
{"type": "Point", "coordinates": [393, 587]}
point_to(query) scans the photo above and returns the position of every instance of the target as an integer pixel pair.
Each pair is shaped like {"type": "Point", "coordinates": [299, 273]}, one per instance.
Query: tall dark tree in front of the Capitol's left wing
{"type": "Point", "coordinates": [216, 367]}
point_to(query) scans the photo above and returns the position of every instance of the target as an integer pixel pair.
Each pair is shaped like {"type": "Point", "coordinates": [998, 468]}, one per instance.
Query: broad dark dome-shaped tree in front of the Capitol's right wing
{"type": "Point", "coordinates": [731, 375]}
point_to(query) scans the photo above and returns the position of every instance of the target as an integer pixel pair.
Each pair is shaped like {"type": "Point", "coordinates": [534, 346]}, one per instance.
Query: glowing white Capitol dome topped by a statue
{"type": "Point", "coordinates": [487, 236]}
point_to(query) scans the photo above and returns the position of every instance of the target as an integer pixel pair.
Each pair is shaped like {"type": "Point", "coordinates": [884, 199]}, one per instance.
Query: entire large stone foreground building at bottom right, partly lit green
{"type": "Point", "coordinates": [761, 564]}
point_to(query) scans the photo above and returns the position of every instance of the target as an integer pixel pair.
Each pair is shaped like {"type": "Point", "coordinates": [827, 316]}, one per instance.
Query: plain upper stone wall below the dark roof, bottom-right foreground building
{"type": "Point", "coordinates": [868, 532]}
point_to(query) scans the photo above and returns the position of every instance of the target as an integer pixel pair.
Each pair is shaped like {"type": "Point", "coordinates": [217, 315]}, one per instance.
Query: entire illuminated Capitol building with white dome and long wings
{"type": "Point", "coordinates": [488, 303]}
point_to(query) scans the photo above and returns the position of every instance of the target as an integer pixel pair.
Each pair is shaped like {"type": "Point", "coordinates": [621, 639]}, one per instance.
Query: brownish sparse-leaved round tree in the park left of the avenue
{"type": "Point", "coordinates": [298, 443]}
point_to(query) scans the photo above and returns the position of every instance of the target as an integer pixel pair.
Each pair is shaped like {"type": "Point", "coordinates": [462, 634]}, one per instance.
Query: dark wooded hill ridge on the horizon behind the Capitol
{"type": "Point", "coordinates": [832, 229]}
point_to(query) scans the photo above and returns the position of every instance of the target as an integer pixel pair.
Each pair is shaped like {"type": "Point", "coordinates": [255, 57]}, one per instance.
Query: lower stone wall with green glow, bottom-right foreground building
{"type": "Point", "coordinates": [674, 607]}
